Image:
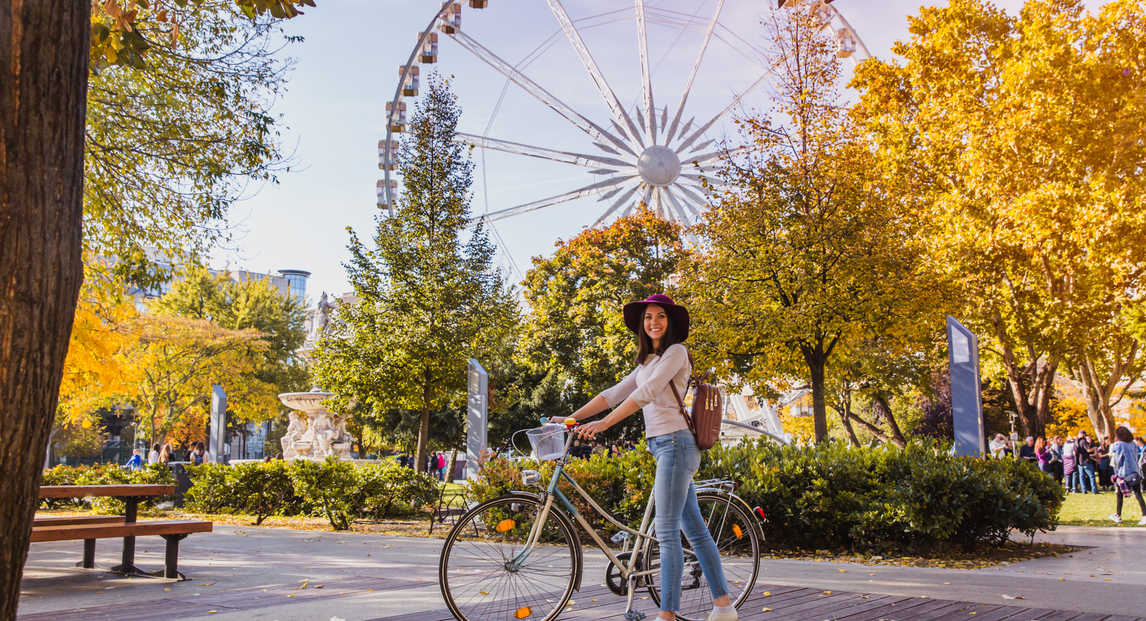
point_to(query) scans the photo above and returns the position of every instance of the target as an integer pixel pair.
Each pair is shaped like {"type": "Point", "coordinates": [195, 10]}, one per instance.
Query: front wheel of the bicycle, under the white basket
{"type": "Point", "coordinates": [486, 573]}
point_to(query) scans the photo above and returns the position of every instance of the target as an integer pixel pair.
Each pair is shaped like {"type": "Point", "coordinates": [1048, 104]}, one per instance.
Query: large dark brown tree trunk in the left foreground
{"type": "Point", "coordinates": [44, 51]}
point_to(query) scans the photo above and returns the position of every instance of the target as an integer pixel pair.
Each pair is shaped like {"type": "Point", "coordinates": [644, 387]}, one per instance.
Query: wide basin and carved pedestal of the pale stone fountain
{"type": "Point", "coordinates": [317, 434]}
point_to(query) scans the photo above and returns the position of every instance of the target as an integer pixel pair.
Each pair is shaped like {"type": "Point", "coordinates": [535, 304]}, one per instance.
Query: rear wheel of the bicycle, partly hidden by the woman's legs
{"type": "Point", "coordinates": [739, 541]}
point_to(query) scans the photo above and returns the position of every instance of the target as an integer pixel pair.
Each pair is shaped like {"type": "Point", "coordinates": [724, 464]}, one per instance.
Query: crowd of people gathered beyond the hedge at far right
{"type": "Point", "coordinates": [1087, 467]}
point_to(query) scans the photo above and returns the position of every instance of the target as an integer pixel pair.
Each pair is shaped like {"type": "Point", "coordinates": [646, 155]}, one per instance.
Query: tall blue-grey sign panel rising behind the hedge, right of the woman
{"type": "Point", "coordinates": [967, 400]}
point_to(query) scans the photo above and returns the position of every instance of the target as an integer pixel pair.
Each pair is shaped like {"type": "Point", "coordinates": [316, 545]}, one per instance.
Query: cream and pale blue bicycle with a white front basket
{"type": "Point", "coordinates": [519, 556]}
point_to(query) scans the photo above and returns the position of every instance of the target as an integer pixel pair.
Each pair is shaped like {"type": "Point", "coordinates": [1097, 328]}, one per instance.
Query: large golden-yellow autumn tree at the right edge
{"type": "Point", "coordinates": [1021, 142]}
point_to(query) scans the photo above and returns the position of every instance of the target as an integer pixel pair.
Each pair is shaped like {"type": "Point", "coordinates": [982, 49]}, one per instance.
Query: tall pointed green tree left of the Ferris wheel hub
{"type": "Point", "coordinates": [429, 294]}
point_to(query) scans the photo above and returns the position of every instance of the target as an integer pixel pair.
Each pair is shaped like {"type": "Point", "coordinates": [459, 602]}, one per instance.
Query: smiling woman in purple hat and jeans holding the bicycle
{"type": "Point", "coordinates": [661, 327]}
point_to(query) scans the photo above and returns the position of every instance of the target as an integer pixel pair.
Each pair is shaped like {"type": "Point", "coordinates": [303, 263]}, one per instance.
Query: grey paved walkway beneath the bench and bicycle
{"type": "Point", "coordinates": [263, 573]}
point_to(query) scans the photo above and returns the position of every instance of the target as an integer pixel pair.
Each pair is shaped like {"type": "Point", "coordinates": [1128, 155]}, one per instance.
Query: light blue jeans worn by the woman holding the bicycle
{"type": "Point", "coordinates": [678, 460]}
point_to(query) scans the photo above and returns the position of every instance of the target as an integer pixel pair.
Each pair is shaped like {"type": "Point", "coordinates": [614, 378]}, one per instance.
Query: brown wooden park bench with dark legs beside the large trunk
{"type": "Point", "coordinates": [90, 529]}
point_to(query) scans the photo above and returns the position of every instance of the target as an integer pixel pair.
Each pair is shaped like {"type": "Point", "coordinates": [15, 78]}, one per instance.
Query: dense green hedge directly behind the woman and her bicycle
{"type": "Point", "coordinates": [834, 496]}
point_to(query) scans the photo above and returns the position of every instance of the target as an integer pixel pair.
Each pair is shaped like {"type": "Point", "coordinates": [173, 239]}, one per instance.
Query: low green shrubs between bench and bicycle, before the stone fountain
{"type": "Point", "coordinates": [341, 492]}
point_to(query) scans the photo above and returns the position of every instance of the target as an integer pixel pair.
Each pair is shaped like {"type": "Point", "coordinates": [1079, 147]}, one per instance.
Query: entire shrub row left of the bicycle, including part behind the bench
{"type": "Point", "coordinates": [341, 492]}
